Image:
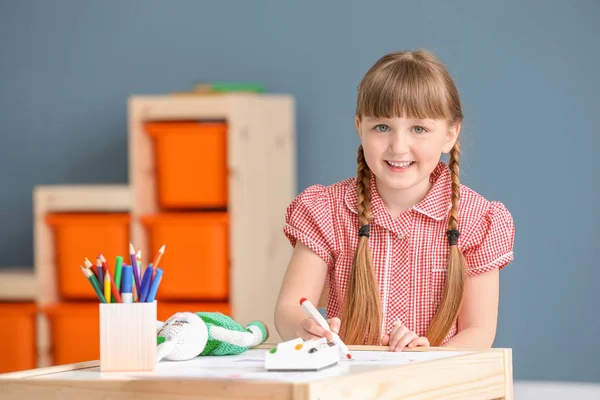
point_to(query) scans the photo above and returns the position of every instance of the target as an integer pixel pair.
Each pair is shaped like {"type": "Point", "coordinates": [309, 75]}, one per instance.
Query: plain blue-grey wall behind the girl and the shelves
{"type": "Point", "coordinates": [527, 72]}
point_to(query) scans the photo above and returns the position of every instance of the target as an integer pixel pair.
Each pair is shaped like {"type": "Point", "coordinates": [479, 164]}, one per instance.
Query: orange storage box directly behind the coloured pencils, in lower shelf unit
{"type": "Point", "coordinates": [81, 235]}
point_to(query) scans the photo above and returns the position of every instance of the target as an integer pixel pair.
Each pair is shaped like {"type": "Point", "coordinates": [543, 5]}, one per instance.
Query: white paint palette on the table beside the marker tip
{"type": "Point", "coordinates": [300, 355]}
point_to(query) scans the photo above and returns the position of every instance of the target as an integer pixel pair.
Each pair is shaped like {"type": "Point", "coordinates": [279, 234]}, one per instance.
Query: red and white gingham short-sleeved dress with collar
{"type": "Point", "coordinates": [409, 254]}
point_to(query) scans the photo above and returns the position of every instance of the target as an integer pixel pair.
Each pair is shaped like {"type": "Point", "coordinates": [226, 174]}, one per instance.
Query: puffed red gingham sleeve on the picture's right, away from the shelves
{"type": "Point", "coordinates": [491, 243]}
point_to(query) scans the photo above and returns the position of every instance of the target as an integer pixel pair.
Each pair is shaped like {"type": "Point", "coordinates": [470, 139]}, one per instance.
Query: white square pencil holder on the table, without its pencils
{"type": "Point", "coordinates": [127, 336]}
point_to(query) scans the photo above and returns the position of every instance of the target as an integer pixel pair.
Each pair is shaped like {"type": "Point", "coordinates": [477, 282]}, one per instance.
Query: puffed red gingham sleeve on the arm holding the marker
{"type": "Point", "coordinates": [309, 219]}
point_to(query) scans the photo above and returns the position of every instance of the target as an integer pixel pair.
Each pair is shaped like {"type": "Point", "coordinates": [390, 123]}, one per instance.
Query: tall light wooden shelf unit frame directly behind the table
{"type": "Point", "coordinates": [261, 182]}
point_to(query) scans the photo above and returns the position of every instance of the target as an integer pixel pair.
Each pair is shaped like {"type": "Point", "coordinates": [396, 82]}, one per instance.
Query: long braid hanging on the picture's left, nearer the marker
{"type": "Point", "coordinates": [361, 316]}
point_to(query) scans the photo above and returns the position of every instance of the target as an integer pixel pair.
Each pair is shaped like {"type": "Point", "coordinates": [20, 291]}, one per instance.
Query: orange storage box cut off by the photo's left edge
{"type": "Point", "coordinates": [18, 336]}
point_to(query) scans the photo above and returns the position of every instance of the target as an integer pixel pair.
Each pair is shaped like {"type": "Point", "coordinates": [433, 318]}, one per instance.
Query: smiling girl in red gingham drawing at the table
{"type": "Point", "coordinates": [411, 256]}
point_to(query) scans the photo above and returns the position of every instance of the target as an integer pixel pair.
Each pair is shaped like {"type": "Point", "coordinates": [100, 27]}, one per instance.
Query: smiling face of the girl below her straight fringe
{"type": "Point", "coordinates": [403, 152]}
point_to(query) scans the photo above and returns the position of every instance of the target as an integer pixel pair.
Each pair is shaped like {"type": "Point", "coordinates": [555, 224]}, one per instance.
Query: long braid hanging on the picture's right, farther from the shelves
{"type": "Point", "coordinates": [449, 307]}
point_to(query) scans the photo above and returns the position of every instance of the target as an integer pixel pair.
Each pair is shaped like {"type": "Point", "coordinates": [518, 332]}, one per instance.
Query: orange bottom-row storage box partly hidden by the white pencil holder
{"type": "Point", "coordinates": [75, 331]}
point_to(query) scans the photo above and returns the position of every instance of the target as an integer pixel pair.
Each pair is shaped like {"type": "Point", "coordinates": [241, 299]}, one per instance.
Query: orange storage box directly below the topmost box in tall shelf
{"type": "Point", "coordinates": [196, 259]}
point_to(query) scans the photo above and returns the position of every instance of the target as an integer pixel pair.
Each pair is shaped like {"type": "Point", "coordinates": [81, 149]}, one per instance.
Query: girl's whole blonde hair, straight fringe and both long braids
{"type": "Point", "coordinates": [413, 85]}
